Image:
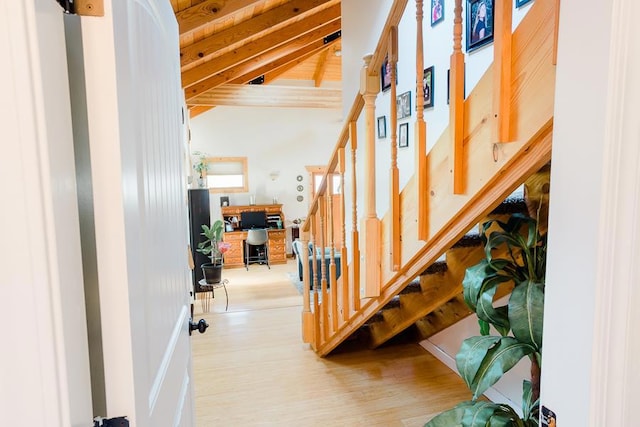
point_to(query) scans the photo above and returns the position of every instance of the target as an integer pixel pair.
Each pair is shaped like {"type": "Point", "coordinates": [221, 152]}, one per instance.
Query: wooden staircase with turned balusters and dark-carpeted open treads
{"type": "Point", "coordinates": [404, 271]}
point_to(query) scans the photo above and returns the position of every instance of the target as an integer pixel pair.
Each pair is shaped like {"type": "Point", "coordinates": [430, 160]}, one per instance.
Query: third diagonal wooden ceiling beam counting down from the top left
{"type": "Point", "coordinates": [253, 49]}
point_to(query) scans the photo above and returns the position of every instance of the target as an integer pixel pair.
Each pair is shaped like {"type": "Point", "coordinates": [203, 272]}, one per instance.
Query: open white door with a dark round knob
{"type": "Point", "coordinates": [135, 117]}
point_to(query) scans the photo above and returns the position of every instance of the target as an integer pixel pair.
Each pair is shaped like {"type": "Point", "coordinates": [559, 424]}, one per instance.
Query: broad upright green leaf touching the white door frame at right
{"type": "Point", "coordinates": [526, 310]}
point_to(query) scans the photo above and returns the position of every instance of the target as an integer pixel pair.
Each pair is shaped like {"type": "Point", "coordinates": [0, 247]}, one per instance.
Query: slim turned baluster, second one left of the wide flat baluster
{"type": "Point", "coordinates": [421, 132]}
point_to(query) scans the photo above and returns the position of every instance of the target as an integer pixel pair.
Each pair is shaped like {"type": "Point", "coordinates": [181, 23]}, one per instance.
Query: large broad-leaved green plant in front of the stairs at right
{"type": "Point", "coordinates": [515, 253]}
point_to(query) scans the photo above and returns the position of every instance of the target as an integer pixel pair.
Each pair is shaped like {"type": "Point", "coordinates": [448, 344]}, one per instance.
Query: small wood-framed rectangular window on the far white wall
{"type": "Point", "coordinates": [227, 175]}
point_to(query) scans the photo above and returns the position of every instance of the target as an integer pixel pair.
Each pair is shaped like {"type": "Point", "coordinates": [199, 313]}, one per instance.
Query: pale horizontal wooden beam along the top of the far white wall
{"type": "Point", "coordinates": [270, 96]}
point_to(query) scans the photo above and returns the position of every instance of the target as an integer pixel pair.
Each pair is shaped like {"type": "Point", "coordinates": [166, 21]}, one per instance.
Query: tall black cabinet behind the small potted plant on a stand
{"type": "Point", "coordinates": [198, 214]}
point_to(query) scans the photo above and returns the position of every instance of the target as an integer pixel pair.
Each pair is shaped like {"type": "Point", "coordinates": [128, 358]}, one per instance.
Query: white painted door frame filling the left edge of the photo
{"type": "Point", "coordinates": [44, 361]}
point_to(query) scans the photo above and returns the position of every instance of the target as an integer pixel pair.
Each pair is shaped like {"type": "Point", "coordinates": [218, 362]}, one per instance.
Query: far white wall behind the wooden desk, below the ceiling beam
{"type": "Point", "coordinates": [273, 139]}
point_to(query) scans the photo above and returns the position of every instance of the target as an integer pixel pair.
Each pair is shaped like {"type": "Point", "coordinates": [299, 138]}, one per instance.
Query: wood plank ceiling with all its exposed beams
{"type": "Point", "coordinates": [231, 49]}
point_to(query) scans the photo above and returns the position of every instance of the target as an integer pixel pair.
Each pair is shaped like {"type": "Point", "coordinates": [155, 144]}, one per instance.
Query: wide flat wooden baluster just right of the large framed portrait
{"type": "Point", "coordinates": [502, 71]}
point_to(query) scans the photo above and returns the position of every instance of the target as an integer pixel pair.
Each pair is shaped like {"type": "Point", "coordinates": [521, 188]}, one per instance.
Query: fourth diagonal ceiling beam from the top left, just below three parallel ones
{"type": "Point", "coordinates": [263, 60]}
